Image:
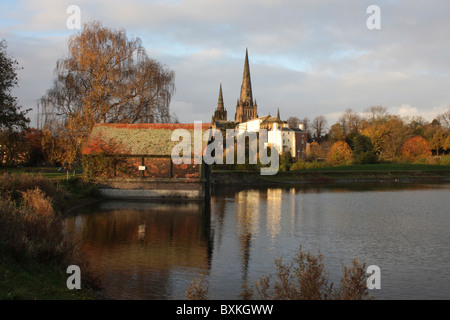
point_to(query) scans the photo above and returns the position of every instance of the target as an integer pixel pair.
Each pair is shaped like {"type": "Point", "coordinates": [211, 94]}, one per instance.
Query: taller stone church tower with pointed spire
{"type": "Point", "coordinates": [245, 108]}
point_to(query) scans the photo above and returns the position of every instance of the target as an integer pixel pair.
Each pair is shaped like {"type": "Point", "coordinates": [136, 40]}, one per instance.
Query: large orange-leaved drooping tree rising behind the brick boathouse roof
{"type": "Point", "coordinates": [107, 78]}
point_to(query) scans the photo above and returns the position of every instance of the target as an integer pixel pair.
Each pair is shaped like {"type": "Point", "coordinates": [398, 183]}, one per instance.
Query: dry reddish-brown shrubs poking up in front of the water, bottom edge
{"type": "Point", "coordinates": [303, 278]}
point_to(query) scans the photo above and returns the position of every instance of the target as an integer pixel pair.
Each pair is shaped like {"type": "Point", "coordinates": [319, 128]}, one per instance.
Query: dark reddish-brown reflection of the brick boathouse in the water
{"type": "Point", "coordinates": [137, 247]}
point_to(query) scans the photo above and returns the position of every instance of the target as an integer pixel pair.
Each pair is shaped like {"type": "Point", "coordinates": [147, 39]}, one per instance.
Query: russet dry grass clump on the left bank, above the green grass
{"type": "Point", "coordinates": [29, 225]}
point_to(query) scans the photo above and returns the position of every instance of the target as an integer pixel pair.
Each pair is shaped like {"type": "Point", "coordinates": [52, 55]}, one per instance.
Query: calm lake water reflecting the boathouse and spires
{"type": "Point", "coordinates": [153, 250]}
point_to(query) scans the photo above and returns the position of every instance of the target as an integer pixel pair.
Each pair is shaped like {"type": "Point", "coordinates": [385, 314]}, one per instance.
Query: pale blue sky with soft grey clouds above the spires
{"type": "Point", "coordinates": [307, 57]}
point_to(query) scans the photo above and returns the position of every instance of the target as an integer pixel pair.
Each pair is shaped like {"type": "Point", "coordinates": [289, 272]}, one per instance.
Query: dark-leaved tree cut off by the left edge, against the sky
{"type": "Point", "coordinates": [11, 117]}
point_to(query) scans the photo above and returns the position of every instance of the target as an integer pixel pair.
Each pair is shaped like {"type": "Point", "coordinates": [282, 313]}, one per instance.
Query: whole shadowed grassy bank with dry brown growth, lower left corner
{"type": "Point", "coordinates": [33, 249]}
